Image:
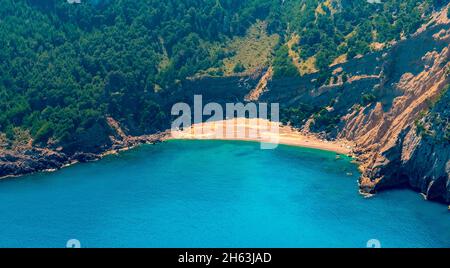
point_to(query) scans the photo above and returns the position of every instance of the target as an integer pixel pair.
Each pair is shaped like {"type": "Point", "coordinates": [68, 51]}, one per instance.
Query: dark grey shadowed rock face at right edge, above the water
{"type": "Point", "coordinates": [421, 156]}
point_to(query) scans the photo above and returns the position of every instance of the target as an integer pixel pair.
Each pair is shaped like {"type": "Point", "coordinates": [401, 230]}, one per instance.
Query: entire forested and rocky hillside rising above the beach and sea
{"type": "Point", "coordinates": [78, 80]}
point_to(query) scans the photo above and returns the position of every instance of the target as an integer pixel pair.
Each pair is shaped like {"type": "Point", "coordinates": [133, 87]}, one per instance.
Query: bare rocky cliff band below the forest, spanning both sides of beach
{"type": "Point", "coordinates": [392, 103]}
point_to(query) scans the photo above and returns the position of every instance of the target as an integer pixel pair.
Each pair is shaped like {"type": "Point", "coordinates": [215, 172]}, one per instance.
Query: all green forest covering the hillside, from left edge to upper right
{"type": "Point", "coordinates": [65, 67]}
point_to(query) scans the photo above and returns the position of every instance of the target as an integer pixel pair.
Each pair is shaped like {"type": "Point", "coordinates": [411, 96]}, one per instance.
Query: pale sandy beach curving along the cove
{"type": "Point", "coordinates": [259, 130]}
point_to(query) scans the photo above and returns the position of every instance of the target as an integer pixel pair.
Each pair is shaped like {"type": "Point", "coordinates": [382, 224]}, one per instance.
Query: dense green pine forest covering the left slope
{"type": "Point", "coordinates": [65, 66]}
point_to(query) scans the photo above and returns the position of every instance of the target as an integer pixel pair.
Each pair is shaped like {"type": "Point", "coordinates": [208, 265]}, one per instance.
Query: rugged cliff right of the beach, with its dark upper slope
{"type": "Point", "coordinates": [404, 81]}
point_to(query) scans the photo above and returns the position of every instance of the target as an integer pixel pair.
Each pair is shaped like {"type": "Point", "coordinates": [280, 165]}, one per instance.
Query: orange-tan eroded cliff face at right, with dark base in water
{"type": "Point", "coordinates": [392, 150]}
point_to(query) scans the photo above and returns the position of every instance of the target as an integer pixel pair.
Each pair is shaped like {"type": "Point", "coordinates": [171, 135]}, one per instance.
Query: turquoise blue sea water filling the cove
{"type": "Point", "coordinates": [213, 194]}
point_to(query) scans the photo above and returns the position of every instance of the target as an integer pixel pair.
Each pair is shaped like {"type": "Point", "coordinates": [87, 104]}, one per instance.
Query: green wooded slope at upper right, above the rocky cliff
{"type": "Point", "coordinates": [333, 28]}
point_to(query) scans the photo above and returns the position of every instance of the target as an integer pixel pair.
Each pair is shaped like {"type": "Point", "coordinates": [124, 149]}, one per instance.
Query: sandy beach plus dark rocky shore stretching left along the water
{"type": "Point", "coordinates": [47, 160]}
